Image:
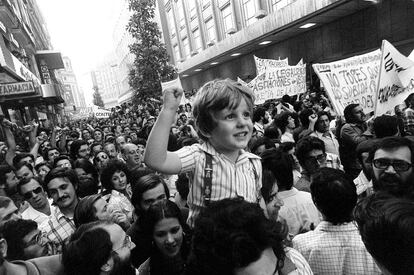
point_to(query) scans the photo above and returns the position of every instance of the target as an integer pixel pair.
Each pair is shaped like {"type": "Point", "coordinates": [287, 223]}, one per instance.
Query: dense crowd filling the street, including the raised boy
{"type": "Point", "coordinates": [215, 186]}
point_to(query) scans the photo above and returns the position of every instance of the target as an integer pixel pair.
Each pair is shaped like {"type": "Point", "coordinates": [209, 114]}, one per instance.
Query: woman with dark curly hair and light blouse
{"type": "Point", "coordinates": [115, 179]}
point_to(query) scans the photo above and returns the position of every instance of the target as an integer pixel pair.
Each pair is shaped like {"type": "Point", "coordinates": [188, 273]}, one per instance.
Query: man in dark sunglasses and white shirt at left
{"type": "Point", "coordinates": [40, 207]}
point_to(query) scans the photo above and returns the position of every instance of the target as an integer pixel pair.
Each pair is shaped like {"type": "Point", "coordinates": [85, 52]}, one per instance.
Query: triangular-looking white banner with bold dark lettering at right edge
{"type": "Point", "coordinates": [391, 91]}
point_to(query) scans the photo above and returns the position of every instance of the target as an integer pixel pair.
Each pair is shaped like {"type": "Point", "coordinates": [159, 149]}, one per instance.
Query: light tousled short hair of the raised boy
{"type": "Point", "coordinates": [215, 96]}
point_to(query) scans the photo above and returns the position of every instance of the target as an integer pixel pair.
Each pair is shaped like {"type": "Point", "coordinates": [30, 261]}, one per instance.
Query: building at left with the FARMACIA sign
{"type": "Point", "coordinates": [28, 86]}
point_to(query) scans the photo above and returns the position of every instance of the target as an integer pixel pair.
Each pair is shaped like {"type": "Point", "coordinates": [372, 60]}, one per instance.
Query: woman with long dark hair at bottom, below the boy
{"type": "Point", "coordinates": [164, 224]}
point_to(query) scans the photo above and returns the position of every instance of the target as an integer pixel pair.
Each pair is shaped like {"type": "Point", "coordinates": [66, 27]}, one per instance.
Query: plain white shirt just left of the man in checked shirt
{"type": "Point", "coordinates": [298, 210]}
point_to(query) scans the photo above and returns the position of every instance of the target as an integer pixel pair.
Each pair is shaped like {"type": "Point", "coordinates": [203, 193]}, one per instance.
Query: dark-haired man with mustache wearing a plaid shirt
{"type": "Point", "coordinates": [61, 185]}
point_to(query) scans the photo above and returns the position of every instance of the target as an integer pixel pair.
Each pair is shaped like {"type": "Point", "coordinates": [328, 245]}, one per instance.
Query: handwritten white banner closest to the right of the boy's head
{"type": "Point", "coordinates": [275, 83]}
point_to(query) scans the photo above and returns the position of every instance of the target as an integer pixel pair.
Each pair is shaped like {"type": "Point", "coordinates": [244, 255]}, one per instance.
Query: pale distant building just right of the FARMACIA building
{"type": "Point", "coordinates": [73, 97]}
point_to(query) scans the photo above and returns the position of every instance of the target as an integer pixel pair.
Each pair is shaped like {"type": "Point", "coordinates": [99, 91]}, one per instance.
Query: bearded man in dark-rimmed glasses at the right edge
{"type": "Point", "coordinates": [392, 163]}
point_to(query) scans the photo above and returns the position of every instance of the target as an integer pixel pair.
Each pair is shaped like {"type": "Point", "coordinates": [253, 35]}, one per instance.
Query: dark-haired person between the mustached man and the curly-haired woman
{"type": "Point", "coordinates": [88, 177]}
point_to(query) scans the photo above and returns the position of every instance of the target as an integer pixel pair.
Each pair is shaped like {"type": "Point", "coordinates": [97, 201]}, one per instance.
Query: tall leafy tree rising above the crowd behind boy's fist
{"type": "Point", "coordinates": [151, 64]}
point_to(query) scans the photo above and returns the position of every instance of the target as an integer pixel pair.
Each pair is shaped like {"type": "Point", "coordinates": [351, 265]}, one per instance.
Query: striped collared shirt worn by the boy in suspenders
{"type": "Point", "coordinates": [229, 180]}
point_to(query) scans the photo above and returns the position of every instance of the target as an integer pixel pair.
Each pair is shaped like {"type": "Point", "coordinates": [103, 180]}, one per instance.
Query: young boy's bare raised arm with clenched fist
{"type": "Point", "coordinates": [156, 155]}
